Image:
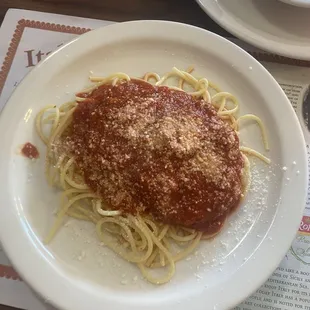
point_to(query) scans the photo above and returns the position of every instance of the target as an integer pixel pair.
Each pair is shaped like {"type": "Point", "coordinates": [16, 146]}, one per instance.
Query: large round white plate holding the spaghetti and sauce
{"type": "Point", "coordinates": [74, 272]}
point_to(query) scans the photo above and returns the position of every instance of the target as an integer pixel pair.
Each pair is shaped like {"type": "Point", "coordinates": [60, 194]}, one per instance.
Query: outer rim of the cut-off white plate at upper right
{"type": "Point", "coordinates": [256, 40]}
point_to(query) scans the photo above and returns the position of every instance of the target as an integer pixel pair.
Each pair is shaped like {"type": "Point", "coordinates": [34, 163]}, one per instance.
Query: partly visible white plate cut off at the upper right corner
{"type": "Point", "coordinates": [271, 25]}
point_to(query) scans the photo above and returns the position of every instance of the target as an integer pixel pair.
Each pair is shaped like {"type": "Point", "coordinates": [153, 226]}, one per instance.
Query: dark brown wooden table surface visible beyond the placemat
{"type": "Point", "coordinates": [186, 11]}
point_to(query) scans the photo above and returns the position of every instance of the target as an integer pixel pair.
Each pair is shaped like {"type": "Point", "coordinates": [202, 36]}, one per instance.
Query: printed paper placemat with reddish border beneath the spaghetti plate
{"type": "Point", "coordinates": [26, 37]}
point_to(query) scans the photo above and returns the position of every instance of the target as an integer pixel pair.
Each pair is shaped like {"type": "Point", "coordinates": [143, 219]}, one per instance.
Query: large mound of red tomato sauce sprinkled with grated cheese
{"type": "Point", "coordinates": [157, 151]}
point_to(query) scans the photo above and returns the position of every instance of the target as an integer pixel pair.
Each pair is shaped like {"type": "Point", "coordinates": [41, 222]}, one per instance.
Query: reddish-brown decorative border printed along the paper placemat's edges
{"type": "Point", "coordinates": [8, 271]}
